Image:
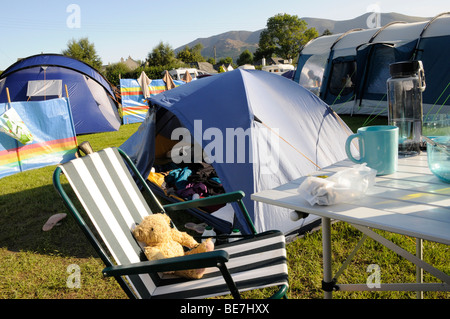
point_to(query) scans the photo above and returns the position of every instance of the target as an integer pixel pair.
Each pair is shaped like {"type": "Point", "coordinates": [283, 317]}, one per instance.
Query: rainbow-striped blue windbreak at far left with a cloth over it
{"type": "Point", "coordinates": [54, 138]}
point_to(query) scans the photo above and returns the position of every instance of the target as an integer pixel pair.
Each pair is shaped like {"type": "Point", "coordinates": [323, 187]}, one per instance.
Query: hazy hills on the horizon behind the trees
{"type": "Point", "coordinates": [233, 43]}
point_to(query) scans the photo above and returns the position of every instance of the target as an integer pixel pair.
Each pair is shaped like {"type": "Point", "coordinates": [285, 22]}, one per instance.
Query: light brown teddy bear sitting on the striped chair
{"type": "Point", "coordinates": [163, 241]}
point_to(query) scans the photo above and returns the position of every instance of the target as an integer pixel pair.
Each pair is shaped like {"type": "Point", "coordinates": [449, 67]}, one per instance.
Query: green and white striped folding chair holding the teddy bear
{"type": "Point", "coordinates": [114, 203]}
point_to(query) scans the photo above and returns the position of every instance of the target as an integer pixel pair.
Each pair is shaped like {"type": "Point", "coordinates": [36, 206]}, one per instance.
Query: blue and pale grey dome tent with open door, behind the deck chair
{"type": "Point", "coordinates": [257, 130]}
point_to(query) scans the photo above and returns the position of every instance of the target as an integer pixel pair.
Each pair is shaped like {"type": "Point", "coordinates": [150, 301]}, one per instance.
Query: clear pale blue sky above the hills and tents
{"type": "Point", "coordinates": [133, 28]}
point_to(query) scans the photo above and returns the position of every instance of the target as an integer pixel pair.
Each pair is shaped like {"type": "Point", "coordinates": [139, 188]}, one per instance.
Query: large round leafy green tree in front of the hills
{"type": "Point", "coordinates": [284, 36]}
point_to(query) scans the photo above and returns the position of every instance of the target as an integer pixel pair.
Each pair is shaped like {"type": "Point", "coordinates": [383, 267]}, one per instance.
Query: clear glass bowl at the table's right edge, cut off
{"type": "Point", "coordinates": [439, 157]}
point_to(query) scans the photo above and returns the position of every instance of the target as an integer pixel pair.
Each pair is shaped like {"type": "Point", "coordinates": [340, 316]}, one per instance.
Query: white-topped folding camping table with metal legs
{"type": "Point", "coordinates": [411, 202]}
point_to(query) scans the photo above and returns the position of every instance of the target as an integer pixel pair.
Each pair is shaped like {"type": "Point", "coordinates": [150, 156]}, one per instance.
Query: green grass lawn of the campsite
{"type": "Point", "coordinates": [36, 264]}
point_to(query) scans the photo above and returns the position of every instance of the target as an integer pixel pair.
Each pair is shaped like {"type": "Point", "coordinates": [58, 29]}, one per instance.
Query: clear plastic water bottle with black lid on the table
{"type": "Point", "coordinates": [405, 87]}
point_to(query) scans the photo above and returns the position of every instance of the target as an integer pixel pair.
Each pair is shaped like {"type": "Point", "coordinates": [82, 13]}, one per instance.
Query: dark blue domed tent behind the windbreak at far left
{"type": "Point", "coordinates": [44, 76]}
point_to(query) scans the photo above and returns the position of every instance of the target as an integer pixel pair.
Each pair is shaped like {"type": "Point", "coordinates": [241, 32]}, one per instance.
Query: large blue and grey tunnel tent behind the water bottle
{"type": "Point", "coordinates": [349, 71]}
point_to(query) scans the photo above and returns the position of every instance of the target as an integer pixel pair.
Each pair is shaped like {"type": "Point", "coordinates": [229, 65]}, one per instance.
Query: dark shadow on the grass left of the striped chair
{"type": "Point", "coordinates": [23, 215]}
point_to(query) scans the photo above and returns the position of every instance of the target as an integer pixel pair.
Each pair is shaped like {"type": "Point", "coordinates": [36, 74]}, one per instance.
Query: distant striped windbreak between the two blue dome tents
{"type": "Point", "coordinates": [134, 105]}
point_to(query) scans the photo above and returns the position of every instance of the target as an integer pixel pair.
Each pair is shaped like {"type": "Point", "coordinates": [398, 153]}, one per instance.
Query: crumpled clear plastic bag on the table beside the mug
{"type": "Point", "coordinates": [346, 185]}
